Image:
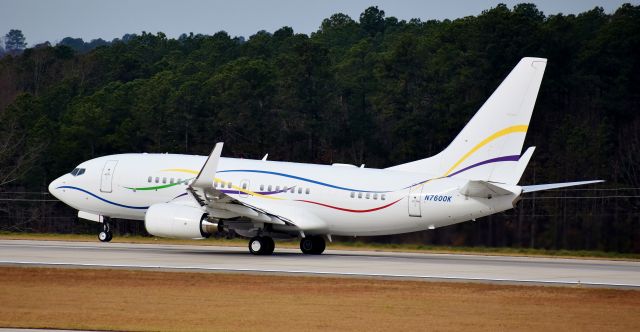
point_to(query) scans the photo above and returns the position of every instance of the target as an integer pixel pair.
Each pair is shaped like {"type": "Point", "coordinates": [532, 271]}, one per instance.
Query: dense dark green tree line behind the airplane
{"type": "Point", "coordinates": [375, 90]}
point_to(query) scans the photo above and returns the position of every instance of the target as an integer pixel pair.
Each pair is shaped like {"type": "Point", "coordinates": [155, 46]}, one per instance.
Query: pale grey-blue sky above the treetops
{"type": "Point", "coordinates": [52, 20]}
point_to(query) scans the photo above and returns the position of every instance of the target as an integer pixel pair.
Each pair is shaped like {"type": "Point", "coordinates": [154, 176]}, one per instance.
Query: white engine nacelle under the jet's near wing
{"type": "Point", "coordinates": [177, 221]}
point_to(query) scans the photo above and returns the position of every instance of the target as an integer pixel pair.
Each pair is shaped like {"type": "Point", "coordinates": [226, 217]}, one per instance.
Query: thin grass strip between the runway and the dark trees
{"type": "Point", "coordinates": [356, 245]}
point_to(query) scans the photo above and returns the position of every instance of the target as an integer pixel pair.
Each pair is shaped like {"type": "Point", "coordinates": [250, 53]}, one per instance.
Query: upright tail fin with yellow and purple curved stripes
{"type": "Point", "coordinates": [489, 145]}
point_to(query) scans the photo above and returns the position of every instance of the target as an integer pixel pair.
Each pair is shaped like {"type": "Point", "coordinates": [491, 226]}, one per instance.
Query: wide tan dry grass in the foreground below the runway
{"type": "Point", "coordinates": [97, 299]}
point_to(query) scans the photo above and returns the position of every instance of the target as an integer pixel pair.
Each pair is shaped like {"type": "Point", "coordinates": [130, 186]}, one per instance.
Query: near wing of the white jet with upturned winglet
{"type": "Point", "coordinates": [221, 205]}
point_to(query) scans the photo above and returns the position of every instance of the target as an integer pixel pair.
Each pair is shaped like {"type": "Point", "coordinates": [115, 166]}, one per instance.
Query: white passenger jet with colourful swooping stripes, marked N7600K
{"type": "Point", "coordinates": [192, 197]}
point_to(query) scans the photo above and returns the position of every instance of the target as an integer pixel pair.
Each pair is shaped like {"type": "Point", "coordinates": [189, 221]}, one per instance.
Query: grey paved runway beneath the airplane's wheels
{"type": "Point", "coordinates": [476, 268]}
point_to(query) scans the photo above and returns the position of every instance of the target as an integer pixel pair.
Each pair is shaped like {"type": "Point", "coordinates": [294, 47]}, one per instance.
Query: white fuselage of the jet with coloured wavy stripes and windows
{"type": "Point", "coordinates": [350, 200]}
